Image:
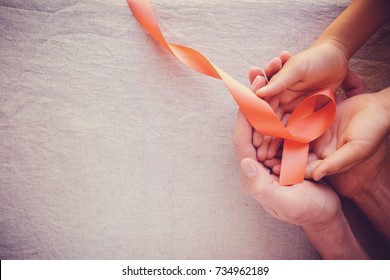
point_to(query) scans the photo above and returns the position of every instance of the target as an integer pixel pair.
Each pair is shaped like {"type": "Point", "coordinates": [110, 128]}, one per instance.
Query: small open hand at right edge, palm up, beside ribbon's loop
{"type": "Point", "coordinates": [358, 130]}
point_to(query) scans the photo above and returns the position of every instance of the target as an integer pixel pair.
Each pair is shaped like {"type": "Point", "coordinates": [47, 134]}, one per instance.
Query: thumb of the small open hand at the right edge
{"type": "Point", "coordinates": [349, 155]}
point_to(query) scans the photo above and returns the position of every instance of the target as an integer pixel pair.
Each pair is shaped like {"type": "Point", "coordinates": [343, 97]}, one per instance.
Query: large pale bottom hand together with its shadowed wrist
{"type": "Point", "coordinates": [315, 207]}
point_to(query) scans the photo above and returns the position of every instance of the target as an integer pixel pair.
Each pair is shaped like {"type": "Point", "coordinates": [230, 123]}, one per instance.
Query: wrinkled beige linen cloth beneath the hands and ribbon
{"type": "Point", "coordinates": [112, 149]}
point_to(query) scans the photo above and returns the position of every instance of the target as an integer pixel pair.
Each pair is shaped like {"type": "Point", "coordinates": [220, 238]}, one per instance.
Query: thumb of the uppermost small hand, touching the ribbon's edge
{"type": "Point", "coordinates": [281, 81]}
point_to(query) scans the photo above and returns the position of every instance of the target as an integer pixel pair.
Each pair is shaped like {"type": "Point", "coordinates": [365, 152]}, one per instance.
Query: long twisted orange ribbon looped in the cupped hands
{"type": "Point", "coordinates": [305, 124]}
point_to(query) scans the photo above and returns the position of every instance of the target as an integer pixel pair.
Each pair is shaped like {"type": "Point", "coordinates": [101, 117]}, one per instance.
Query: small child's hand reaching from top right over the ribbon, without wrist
{"type": "Point", "coordinates": [323, 65]}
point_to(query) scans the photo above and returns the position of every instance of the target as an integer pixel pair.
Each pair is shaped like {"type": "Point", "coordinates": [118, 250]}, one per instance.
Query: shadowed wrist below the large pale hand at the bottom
{"type": "Point", "coordinates": [334, 239]}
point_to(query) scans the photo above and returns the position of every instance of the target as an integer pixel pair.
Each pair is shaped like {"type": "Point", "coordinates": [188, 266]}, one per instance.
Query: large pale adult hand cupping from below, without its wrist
{"type": "Point", "coordinates": [306, 204]}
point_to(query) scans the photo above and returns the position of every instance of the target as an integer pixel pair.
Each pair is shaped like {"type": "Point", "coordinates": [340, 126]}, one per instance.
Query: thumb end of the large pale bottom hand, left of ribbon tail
{"type": "Point", "coordinates": [256, 175]}
